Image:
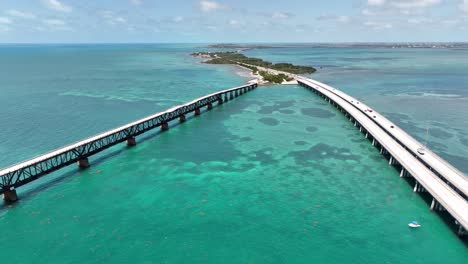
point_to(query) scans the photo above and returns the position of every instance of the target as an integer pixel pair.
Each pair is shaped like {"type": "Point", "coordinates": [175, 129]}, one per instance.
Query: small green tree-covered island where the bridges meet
{"type": "Point", "coordinates": [265, 71]}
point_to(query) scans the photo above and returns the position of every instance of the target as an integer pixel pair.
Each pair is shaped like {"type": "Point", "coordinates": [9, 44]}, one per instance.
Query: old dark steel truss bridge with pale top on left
{"type": "Point", "coordinates": [28, 171]}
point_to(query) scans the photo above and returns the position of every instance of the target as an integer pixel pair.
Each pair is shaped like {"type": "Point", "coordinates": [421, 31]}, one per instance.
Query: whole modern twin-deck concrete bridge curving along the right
{"type": "Point", "coordinates": [447, 186]}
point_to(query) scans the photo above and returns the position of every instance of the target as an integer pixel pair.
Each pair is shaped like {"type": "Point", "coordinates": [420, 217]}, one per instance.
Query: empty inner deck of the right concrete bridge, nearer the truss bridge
{"type": "Point", "coordinates": [456, 205]}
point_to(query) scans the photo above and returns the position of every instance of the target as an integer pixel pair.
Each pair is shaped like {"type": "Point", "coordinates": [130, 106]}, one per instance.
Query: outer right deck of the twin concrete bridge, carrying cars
{"type": "Point", "coordinates": [432, 160]}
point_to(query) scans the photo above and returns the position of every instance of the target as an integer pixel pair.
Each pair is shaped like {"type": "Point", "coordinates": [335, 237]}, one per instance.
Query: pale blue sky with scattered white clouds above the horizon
{"type": "Point", "coordinates": [219, 21]}
